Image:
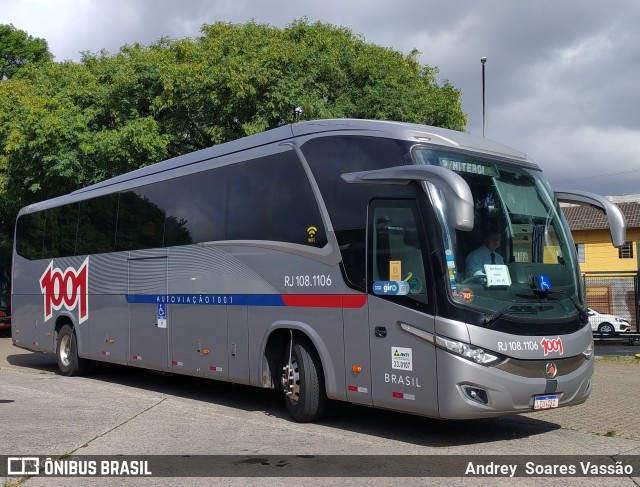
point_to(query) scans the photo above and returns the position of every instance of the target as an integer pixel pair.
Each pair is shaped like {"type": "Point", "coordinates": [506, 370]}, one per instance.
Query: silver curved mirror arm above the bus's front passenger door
{"type": "Point", "coordinates": [457, 193]}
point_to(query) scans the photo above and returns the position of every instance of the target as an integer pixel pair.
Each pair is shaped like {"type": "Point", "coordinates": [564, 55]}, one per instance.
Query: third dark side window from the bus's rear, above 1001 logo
{"type": "Point", "coordinates": [97, 225]}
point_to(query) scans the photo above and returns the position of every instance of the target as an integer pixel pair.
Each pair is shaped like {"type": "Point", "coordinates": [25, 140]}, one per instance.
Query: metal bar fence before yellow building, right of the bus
{"type": "Point", "coordinates": [615, 293]}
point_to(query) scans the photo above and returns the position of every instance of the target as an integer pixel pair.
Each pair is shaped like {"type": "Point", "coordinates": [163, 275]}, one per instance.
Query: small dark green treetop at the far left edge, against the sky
{"type": "Point", "coordinates": [17, 48]}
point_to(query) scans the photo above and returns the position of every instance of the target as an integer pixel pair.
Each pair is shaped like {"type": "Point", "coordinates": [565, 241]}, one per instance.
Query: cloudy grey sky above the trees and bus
{"type": "Point", "coordinates": [562, 77]}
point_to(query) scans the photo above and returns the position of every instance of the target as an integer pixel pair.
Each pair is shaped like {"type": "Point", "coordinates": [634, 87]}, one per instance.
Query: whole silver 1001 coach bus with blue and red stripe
{"type": "Point", "coordinates": [330, 259]}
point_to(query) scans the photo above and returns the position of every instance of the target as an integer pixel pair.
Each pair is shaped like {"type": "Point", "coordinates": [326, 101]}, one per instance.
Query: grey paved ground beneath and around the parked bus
{"type": "Point", "coordinates": [124, 411]}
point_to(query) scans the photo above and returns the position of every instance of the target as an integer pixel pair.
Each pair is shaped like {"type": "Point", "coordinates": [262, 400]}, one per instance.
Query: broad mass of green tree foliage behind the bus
{"type": "Point", "coordinates": [67, 125]}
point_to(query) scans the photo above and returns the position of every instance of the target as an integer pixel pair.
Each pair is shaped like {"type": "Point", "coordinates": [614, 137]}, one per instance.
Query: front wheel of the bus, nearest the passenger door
{"type": "Point", "coordinates": [302, 382]}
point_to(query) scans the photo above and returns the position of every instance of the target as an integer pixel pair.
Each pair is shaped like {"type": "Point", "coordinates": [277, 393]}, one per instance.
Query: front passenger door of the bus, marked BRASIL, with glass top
{"type": "Point", "coordinates": [401, 321]}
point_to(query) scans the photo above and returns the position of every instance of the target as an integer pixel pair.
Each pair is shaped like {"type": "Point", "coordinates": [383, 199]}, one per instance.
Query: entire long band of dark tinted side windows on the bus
{"type": "Point", "coordinates": [268, 198]}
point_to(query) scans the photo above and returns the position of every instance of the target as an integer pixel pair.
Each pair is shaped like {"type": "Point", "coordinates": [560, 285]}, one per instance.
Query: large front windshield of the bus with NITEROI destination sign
{"type": "Point", "coordinates": [519, 259]}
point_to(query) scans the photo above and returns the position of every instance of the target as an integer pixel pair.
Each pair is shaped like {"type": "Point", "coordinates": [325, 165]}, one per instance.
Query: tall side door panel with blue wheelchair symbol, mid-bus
{"type": "Point", "coordinates": [148, 323]}
